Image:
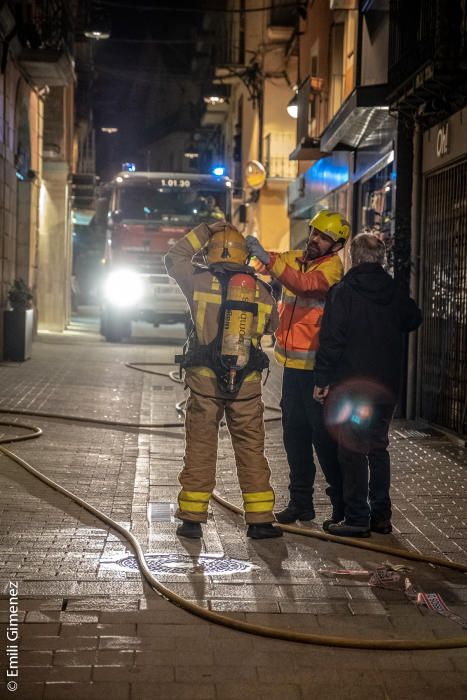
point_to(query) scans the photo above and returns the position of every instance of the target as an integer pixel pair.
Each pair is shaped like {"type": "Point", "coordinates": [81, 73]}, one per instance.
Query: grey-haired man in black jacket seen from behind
{"type": "Point", "coordinates": [360, 357]}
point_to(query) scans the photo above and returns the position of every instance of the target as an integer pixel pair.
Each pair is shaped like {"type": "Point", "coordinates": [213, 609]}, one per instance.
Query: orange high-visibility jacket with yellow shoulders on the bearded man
{"type": "Point", "coordinates": [305, 285]}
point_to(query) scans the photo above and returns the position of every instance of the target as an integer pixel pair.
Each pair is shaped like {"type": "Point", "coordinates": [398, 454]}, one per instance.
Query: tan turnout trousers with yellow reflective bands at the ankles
{"type": "Point", "coordinates": [244, 419]}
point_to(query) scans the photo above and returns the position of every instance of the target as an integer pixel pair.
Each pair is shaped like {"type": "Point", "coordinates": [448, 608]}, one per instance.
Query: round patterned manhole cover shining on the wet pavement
{"type": "Point", "coordinates": [204, 564]}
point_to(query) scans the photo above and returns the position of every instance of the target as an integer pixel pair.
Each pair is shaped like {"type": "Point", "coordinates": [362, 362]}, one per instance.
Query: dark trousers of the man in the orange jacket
{"type": "Point", "coordinates": [303, 427]}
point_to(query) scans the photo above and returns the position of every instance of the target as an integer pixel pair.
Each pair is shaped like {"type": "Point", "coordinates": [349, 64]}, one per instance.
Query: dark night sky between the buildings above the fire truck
{"type": "Point", "coordinates": [125, 67]}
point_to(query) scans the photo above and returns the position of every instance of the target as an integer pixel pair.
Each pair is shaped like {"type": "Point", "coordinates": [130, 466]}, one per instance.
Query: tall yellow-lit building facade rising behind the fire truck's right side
{"type": "Point", "coordinates": [256, 59]}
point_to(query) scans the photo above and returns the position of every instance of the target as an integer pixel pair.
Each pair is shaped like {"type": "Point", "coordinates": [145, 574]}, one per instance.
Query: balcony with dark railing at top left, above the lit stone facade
{"type": "Point", "coordinates": [46, 39]}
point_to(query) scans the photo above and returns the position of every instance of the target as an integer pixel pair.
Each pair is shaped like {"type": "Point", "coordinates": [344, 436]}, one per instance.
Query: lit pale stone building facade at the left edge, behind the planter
{"type": "Point", "coordinates": [36, 135]}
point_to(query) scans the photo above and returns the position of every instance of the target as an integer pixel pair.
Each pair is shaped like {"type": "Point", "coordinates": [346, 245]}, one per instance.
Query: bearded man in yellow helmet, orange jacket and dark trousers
{"type": "Point", "coordinates": [306, 276]}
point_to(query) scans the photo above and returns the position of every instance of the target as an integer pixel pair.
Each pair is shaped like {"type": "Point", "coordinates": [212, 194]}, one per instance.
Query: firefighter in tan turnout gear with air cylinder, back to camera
{"type": "Point", "coordinates": [231, 309]}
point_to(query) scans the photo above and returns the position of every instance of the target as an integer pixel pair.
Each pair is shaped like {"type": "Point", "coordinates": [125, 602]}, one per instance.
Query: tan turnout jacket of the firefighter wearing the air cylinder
{"type": "Point", "coordinates": [203, 292]}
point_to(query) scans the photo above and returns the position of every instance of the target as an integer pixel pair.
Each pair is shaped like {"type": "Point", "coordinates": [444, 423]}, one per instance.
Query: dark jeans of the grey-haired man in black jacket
{"type": "Point", "coordinates": [365, 463]}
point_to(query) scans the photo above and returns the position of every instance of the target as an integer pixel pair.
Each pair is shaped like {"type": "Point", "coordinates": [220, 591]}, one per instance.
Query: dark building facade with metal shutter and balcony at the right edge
{"type": "Point", "coordinates": [428, 81]}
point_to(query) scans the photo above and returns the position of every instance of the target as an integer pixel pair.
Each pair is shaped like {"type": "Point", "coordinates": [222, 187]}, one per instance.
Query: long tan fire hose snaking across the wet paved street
{"type": "Point", "coordinates": [218, 618]}
